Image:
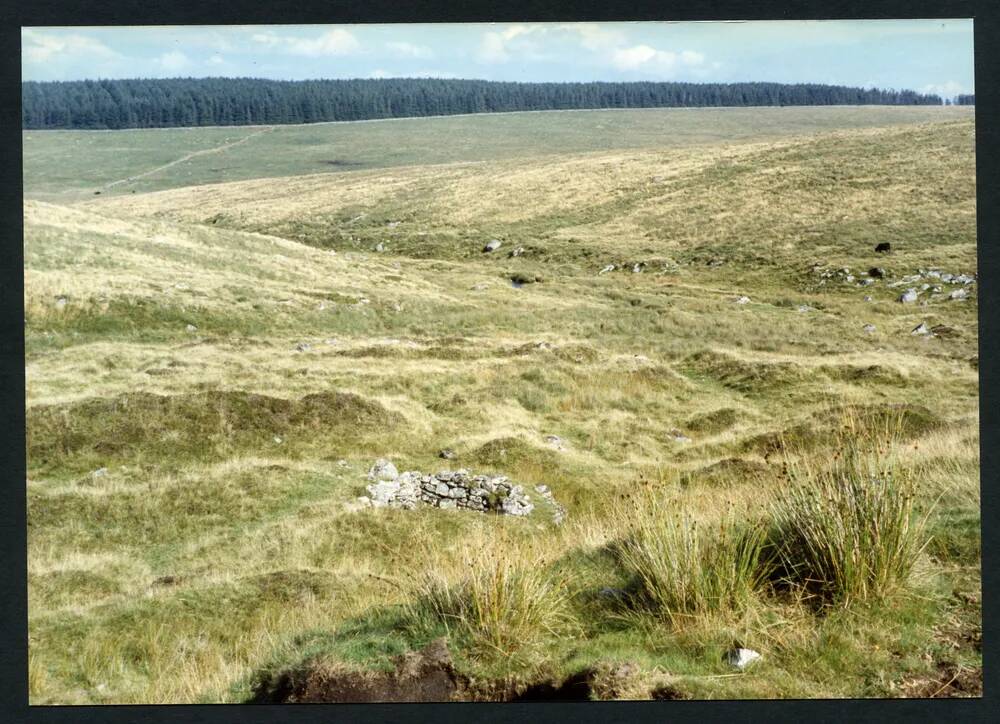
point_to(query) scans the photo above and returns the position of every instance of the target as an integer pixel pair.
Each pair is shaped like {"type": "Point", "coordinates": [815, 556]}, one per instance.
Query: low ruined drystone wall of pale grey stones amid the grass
{"type": "Point", "coordinates": [452, 489]}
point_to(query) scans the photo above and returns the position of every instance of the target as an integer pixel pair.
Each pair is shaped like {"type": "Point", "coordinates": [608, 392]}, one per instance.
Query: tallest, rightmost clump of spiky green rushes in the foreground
{"type": "Point", "coordinates": [848, 532]}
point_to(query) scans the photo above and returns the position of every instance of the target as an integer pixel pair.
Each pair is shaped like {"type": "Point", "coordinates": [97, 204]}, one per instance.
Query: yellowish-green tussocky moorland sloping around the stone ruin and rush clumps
{"type": "Point", "coordinates": [212, 369]}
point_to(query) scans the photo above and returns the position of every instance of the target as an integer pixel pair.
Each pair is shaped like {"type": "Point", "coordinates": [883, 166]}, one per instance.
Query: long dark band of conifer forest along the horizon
{"type": "Point", "coordinates": [149, 103]}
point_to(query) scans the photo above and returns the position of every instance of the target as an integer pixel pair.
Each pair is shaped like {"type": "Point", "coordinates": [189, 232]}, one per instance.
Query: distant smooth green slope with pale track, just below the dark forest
{"type": "Point", "coordinates": [72, 165]}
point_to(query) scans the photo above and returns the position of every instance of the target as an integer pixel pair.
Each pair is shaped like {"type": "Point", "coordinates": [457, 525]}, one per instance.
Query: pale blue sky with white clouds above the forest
{"type": "Point", "coordinates": [931, 56]}
